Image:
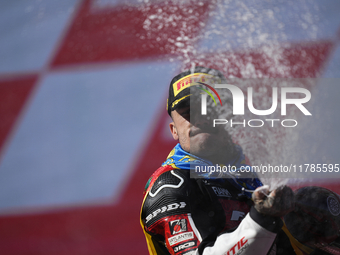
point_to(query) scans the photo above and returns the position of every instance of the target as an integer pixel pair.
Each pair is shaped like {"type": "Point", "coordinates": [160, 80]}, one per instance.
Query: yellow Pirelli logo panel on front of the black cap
{"type": "Point", "coordinates": [193, 79]}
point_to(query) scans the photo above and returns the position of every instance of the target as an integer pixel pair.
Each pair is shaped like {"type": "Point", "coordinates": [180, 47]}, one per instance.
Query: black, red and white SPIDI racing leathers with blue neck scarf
{"type": "Point", "coordinates": [184, 215]}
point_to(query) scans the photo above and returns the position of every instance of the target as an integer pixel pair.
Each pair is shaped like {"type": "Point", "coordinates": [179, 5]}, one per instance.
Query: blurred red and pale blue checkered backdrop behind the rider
{"type": "Point", "coordinates": [83, 87]}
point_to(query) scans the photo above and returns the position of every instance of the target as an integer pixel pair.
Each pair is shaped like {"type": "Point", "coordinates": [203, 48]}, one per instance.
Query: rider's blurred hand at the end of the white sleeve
{"type": "Point", "coordinates": [275, 203]}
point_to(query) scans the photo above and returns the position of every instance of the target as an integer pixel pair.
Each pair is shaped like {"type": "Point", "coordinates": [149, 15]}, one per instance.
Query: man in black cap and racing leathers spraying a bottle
{"type": "Point", "coordinates": [205, 214]}
